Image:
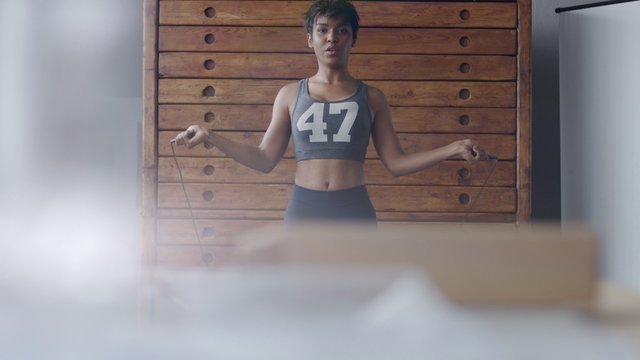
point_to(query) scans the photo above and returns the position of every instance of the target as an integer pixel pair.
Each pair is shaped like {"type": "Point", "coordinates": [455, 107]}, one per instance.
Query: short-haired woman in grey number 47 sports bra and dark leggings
{"type": "Point", "coordinates": [331, 117]}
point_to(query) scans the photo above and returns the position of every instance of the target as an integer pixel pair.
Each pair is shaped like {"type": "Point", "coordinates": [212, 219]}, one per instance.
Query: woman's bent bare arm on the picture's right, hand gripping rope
{"type": "Point", "coordinates": [394, 158]}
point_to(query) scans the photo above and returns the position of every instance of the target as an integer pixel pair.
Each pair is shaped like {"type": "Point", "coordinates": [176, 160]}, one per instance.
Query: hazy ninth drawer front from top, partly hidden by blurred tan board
{"type": "Point", "coordinates": [219, 232]}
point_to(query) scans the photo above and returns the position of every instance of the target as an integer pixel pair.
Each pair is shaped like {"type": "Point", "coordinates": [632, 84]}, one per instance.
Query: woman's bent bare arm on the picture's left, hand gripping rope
{"type": "Point", "coordinates": [263, 157]}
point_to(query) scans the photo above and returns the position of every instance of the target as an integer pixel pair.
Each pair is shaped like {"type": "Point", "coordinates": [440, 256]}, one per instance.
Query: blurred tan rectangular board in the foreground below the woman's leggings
{"type": "Point", "coordinates": [473, 265]}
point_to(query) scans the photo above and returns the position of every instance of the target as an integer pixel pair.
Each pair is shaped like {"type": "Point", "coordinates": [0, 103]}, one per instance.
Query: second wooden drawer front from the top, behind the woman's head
{"type": "Point", "coordinates": [370, 40]}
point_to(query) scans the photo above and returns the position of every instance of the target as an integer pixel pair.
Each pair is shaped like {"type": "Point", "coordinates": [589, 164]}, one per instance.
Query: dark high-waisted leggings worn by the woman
{"type": "Point", "coordinates": [351, 204]}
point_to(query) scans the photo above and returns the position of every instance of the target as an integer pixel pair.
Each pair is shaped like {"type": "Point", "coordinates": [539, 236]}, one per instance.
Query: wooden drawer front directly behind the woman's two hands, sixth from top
{"type": "Point", "coordinates": [501, 146]}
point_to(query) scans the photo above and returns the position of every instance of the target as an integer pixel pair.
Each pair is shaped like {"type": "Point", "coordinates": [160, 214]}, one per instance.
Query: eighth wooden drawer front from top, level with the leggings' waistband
{"type": "Point", "coordinates": [384, 198]}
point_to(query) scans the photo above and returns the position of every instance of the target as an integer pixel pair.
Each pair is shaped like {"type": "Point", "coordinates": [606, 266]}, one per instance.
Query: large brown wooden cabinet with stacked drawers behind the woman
{"type": "Point", "coordinates": [450, 70]}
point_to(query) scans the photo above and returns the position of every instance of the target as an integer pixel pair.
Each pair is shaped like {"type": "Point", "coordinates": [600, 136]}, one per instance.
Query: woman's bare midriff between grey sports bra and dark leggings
{"type": "Point", "coordinates": [329, 174]}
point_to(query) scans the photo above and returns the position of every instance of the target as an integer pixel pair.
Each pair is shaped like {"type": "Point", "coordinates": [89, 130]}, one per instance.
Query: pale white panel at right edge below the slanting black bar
{"type": "Point", "coordinates": [600, 125]}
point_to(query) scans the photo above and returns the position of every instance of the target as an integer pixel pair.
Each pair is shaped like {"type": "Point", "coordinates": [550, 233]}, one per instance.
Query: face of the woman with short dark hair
{"type": "Point", "coordinates": [331, 40]}
